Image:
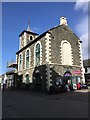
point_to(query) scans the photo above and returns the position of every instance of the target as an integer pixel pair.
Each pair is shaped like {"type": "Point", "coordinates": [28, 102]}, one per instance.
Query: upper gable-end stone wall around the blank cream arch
{"type": "Point", "coordinates": [63, 33]}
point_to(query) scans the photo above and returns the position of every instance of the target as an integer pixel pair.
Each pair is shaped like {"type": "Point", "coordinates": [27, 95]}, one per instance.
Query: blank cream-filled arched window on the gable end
{"type": "Point", "coordinates": [66, 53]}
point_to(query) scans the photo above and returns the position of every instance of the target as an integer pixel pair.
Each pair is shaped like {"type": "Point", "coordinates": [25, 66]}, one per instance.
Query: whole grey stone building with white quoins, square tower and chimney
{"type": "Point", "coordinates": [45, 59]}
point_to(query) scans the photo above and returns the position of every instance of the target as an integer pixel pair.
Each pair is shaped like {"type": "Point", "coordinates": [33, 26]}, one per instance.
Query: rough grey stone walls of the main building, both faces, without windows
{"type": "Point", "coordinates": [51, 66]}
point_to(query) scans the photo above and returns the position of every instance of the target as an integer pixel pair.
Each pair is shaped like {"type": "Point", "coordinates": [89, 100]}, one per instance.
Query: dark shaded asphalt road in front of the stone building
{"type": "Point", "coordinates": [27, 104]}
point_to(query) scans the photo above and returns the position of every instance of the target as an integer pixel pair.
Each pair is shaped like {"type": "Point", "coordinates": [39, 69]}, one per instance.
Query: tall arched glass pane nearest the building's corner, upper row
{"type": "Point", "coordinates": [37, 54]}
